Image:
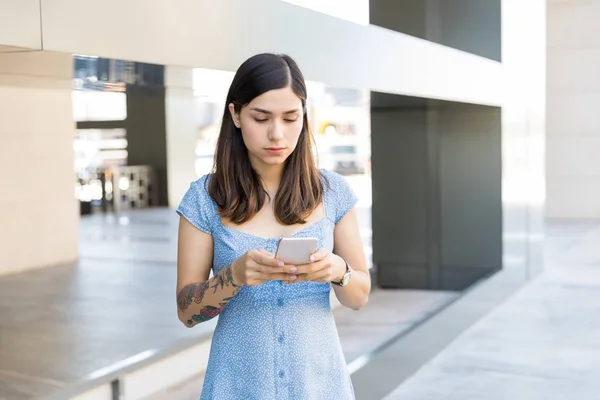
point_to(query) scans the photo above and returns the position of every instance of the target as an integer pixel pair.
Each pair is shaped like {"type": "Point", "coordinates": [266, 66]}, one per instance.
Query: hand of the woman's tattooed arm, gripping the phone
{"type": "Point", "coordinates": [258, 266]}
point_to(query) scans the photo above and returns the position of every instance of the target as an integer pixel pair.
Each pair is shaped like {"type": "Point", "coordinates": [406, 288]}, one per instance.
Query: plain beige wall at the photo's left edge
{"type": "Point", "coordinates": [38, 210]}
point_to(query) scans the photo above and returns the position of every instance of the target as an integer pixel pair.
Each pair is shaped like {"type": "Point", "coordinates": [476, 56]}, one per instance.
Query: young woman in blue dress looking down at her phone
{"type": "Point", "coordinates": [276, 336]}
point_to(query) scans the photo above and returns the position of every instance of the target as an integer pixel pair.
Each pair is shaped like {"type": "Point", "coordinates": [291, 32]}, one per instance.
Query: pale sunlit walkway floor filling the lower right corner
{"type": "Point", "coordinates": [542, 343]}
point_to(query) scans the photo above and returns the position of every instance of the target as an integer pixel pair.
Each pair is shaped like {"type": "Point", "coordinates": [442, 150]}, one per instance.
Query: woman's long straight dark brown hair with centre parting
{"type": "Point", "coordinates": [234, 185]}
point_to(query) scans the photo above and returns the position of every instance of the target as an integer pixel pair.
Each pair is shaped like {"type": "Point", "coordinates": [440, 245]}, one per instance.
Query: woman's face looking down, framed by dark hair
{"type": "Point", "coordinates": [271, 125]}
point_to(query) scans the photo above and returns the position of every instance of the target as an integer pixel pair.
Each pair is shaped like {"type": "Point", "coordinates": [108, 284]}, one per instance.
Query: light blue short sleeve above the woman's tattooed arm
{"type": "Point", "coordinates": [197, 206]}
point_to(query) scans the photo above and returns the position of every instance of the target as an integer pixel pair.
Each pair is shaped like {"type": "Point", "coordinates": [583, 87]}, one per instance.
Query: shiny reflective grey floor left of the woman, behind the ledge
{"type": "Point", "coordinates": [60, 325]}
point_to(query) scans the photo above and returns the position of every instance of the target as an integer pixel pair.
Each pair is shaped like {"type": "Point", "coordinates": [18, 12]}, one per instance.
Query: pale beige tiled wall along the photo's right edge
{"type": "Point", "coordinates": [573, 146]}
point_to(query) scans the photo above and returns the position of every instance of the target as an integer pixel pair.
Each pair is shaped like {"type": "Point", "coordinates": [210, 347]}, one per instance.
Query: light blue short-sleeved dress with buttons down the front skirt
{"type": "Point", "coordinates": [273, 341]}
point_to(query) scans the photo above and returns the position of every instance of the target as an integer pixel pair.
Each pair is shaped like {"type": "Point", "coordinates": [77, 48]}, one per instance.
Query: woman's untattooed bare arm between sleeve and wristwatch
{"type": "Point", "coordinates": [348, 246]}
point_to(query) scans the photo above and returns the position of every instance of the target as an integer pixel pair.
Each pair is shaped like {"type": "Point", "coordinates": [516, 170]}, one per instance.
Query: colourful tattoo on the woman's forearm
{"type": "Point", "coordinates": [195, 293]}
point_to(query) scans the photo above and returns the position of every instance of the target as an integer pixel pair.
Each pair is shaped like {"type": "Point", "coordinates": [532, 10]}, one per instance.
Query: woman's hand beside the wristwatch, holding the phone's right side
{"type": "Point", "coordinates": [324, 267]}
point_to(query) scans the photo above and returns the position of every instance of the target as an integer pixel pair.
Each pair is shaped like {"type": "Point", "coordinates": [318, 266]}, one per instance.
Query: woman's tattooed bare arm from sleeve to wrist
{"type": "Point", "coordinates": [199, 298]}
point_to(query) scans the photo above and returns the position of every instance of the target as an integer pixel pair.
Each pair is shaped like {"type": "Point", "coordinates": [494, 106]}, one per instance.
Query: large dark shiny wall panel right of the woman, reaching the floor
{"type": "Point", "coordinates": [437, 204]}
